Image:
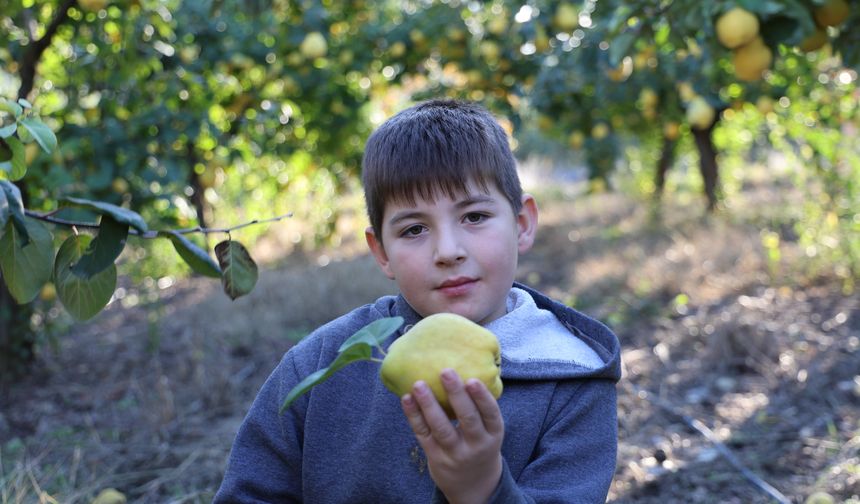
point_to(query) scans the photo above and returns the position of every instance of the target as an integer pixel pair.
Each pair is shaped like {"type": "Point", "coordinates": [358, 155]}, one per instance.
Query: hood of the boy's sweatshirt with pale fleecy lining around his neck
{"type": "Point", "coordinates": [540, 338]}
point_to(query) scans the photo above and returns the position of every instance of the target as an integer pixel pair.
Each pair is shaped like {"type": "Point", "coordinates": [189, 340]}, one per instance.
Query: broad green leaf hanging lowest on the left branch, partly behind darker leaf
{"type": "Point", "coordinates": [83, 298]}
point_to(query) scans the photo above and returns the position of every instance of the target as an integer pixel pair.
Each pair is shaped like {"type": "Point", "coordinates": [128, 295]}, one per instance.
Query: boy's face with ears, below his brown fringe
{"type": "Point", "coordinates": [456, 255]}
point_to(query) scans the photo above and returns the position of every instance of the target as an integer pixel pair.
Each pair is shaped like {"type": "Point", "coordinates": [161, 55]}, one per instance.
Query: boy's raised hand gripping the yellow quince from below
{"type": "Point", "coordinates": [464, 460]}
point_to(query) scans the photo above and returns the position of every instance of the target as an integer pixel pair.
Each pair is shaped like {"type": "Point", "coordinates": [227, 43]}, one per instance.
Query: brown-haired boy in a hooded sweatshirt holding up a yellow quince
{"type": "Point", "coordinates": [448, 221]}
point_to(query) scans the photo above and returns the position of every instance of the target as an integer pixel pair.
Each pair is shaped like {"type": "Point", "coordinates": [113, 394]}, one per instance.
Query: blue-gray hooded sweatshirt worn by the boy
{"type": "Point", "coordinates": [347, 440]}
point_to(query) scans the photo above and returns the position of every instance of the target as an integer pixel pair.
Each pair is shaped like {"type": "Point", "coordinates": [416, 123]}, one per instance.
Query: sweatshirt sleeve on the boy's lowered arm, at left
{"type": "Point", "coordinates": [266, 457]}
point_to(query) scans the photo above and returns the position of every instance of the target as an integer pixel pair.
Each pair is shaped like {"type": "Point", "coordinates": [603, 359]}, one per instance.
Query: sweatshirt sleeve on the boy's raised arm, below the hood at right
{"type": "Point", "coordinates": [574, 460]}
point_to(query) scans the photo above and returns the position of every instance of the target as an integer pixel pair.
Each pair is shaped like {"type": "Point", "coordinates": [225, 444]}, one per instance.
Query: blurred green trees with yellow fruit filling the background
{"type": "Point", "coordinates": [211, 113]}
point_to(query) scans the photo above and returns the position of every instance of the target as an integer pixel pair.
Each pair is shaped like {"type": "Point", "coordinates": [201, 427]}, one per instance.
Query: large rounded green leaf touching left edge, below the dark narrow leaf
{"type": "Point", "coordinates": [26, 267]}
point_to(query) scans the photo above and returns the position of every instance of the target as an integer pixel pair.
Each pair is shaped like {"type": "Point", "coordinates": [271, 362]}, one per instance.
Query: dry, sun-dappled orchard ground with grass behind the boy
{"type": "Point", "coordinates": [146, 399]}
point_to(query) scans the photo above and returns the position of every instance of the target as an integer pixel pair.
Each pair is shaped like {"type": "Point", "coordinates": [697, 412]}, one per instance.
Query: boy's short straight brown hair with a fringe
{"type": "Point", "coordinates": [436, 145]}
